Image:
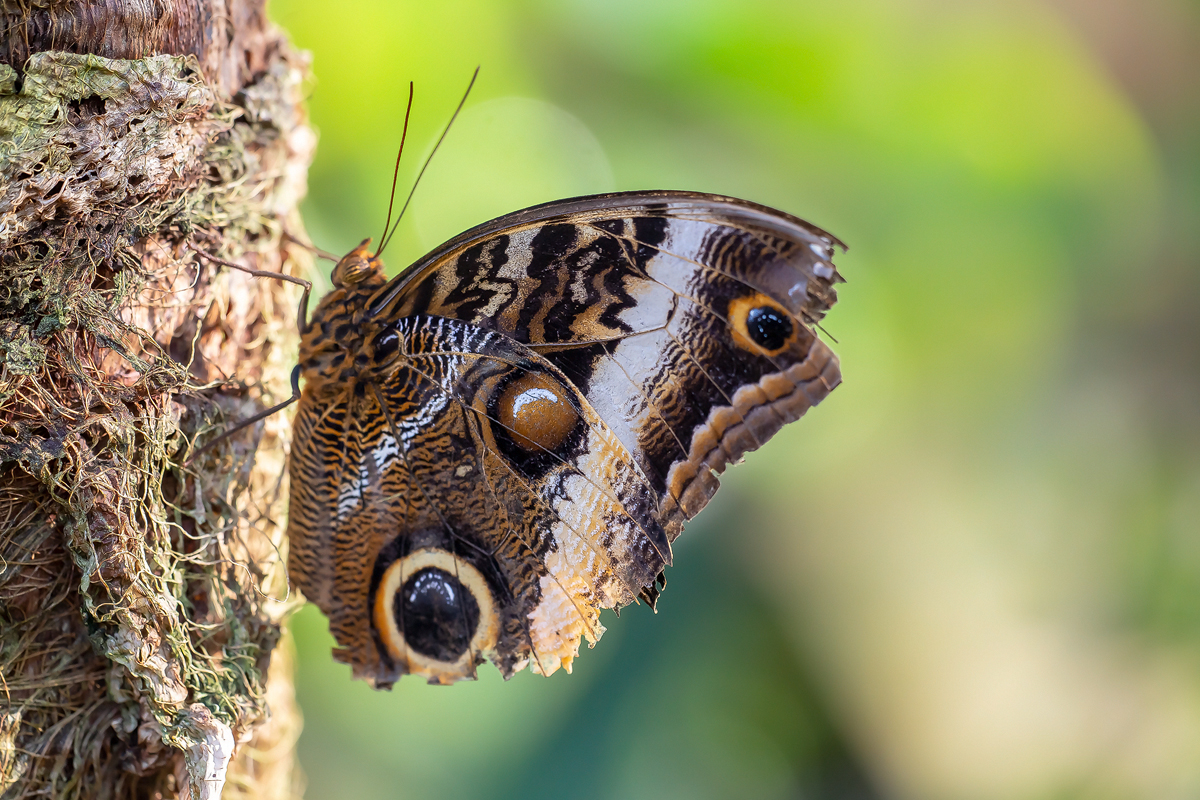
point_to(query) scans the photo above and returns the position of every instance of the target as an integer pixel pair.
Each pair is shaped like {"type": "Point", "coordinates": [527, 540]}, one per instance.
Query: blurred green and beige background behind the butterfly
{"type": "Point", "coordinates": [975, 570]}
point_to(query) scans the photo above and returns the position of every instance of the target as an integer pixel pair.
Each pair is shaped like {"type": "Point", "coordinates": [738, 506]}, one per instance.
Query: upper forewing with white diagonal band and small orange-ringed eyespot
{"type": "Point", "coordinates": [686, 320]}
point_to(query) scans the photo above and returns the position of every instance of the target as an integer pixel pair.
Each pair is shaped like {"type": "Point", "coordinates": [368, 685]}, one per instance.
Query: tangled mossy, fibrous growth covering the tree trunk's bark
{"type": "Point", "coordinates": [146, 588]}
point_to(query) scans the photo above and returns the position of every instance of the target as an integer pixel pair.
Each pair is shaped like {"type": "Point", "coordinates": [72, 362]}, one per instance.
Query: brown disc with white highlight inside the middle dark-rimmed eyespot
{"type": "Point", "coordinates": [536, 413]}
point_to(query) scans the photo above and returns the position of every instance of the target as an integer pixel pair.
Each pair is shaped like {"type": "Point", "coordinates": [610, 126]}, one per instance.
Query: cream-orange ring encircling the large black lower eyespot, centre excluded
{"type": "Point", "coordinates": [487, 631]}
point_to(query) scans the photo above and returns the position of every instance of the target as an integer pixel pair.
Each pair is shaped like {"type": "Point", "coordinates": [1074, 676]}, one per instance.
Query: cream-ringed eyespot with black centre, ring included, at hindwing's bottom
{"type": "Point", "coordinates": [436, 615]}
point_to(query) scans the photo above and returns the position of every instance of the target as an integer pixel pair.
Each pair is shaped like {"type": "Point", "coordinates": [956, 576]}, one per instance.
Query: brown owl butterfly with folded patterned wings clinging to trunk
{"type": "Point", "coordinates": [508, 437]}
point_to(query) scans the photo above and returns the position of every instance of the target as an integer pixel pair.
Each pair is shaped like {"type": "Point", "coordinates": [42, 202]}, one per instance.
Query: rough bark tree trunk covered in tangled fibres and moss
{"type": "Point", "coordinates": [141, 594]}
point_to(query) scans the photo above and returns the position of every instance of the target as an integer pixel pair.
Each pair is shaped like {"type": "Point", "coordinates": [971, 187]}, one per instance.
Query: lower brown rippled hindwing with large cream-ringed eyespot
{"type": "Point", "coordinates": [437, 532]}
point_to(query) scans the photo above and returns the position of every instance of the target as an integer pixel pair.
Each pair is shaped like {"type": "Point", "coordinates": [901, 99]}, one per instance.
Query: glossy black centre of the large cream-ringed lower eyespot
{"type": "Point", "coordinates": [437, 615]}
